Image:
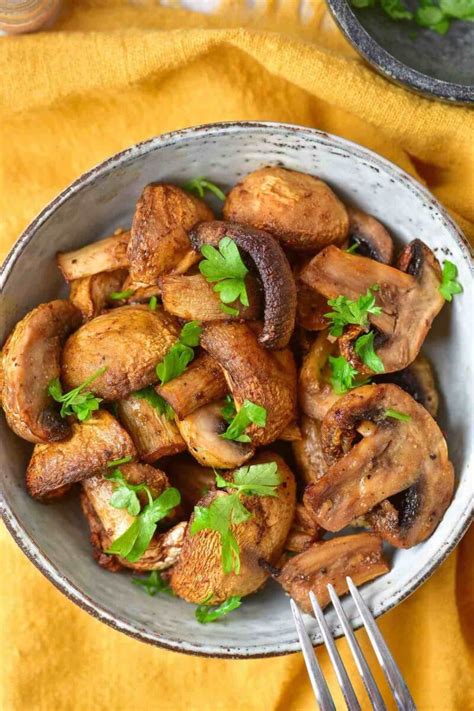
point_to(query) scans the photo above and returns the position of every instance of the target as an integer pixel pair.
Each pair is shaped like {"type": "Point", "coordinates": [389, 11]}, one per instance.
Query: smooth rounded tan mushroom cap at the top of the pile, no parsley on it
{"type": "Point", "coordinates": [300, 210]}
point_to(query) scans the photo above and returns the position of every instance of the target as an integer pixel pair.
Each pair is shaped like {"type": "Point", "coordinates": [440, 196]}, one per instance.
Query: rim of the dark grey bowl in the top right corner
{"type": "Point", "coordinates": [389, 66]}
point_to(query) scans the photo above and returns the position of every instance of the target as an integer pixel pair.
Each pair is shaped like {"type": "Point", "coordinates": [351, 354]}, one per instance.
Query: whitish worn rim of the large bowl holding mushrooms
{"type": "Point", "coordinates": [26, 543]}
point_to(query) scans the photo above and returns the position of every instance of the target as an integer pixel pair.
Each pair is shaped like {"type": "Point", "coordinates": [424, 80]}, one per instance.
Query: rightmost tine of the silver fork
{"type": "Point", "coordinates": [399, 688]}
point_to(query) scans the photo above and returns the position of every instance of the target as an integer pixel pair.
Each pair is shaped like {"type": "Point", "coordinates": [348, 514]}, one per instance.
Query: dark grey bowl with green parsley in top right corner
{"type": "Point", "coordinates": [424, 45]}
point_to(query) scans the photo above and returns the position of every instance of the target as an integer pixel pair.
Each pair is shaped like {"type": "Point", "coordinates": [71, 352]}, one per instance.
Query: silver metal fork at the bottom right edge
{"type": "Point", "coordinates": [323, 696]}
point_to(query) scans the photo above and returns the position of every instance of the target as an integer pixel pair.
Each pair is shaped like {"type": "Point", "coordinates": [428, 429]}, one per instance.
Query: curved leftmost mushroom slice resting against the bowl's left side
{"type": "Point", "coordinates": [30, 361]}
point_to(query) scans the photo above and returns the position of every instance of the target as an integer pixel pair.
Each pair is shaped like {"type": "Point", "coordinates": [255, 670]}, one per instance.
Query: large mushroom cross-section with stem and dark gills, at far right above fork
{"type": "Point", "coordinates": [379, 442]}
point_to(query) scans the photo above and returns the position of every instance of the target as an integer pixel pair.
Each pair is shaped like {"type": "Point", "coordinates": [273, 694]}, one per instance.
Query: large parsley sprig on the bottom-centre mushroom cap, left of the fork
{"type": "Point", "coordinates": [226, 511]}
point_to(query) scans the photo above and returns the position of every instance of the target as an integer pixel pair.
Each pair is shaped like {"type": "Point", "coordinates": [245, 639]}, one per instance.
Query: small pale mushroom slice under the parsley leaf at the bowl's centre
{"type": "Point", "coordinates": [201, 431]}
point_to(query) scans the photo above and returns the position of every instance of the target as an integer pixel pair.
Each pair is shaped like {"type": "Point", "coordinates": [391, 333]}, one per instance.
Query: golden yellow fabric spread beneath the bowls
{"type": "Point", "coordinates": [112, 73]}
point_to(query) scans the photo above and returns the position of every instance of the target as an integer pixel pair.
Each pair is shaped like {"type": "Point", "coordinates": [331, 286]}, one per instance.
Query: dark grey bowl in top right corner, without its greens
{"type": "Point", "coordinates": [440, 67]}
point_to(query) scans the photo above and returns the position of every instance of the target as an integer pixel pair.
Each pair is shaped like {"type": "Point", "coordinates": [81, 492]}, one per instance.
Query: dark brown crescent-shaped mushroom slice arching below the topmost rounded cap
{"type": "Point", "coordinates": [274, 271]}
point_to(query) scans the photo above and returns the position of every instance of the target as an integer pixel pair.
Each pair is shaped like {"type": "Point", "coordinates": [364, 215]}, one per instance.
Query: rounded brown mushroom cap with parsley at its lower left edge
{"type": "Point", "coordinates": [128, 341]}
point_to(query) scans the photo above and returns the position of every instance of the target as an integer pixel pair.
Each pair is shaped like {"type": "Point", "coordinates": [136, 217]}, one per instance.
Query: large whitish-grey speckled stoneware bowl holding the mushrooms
{"type": "Point", "coordinates": [55, 537]}
